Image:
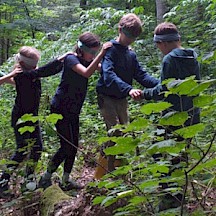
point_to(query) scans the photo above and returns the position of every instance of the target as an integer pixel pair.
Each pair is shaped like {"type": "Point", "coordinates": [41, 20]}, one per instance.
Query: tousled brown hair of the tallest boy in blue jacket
{"type": "Point", "coordinates": [132, 23]}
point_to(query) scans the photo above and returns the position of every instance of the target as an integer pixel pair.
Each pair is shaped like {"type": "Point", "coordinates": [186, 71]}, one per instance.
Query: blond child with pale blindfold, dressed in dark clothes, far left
{"type": "Point", "coordinates": [28, 89]}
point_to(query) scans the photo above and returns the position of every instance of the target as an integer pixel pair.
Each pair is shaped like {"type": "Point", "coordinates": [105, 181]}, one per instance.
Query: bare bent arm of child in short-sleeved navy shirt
{"type": "Point", "coordinates": [87, 72]}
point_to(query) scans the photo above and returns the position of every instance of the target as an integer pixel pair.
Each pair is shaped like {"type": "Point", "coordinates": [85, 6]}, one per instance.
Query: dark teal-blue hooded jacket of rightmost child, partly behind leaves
{"type": "Point", "coordinates": [178, 64]}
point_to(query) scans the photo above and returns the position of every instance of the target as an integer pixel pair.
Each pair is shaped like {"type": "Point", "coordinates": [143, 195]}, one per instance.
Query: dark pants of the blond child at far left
{"type": "Point", "coordinates": [28, 144]}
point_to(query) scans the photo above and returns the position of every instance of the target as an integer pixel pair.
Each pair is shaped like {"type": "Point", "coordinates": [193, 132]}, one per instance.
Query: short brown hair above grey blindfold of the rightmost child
{"type": "Point", "coordinates": [165, 28]}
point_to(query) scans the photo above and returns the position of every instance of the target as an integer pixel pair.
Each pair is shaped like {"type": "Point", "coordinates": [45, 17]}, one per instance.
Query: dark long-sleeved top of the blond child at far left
{"type": "Point", "coordinates": [28, 89]}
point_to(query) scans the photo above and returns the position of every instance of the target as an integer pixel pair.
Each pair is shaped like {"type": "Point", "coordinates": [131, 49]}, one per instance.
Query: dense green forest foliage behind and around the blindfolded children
{"type": "Point", "coordinates": [53, 27]}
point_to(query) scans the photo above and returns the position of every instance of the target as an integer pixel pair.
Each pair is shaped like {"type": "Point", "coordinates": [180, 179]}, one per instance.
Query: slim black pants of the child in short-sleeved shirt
{"type": "Point", "coordinates": [68, 132]}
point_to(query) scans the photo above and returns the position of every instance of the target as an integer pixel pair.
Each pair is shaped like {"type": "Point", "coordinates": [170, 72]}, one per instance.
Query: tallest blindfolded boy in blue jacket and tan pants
{"type": "Point", "coordinates": [119, 68]}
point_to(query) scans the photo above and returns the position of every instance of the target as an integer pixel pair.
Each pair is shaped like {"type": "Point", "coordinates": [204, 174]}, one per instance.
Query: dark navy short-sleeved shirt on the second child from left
{"type": "Point", "coordinates": [71, 92]}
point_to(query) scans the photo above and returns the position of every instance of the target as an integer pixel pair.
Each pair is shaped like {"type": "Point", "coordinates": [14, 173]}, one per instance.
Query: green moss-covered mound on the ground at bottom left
{"type": "Point", "coordinates": [51, 196]}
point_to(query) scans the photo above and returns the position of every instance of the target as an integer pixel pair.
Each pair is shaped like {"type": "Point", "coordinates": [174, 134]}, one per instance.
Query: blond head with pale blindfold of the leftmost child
{"type": "Point", "coordinates": [27, 57]}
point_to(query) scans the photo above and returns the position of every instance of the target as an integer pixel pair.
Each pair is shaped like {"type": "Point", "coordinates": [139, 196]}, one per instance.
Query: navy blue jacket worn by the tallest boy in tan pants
{"type": "Point", "coordinates": [119, 68]}
